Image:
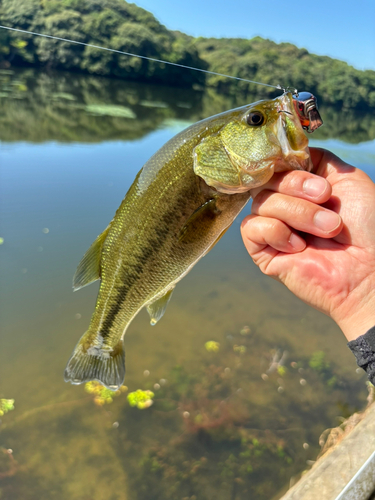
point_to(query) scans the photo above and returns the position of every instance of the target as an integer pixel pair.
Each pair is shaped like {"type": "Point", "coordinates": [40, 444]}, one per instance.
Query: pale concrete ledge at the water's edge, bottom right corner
{"type": "Point", "coordinates": [345, 473]}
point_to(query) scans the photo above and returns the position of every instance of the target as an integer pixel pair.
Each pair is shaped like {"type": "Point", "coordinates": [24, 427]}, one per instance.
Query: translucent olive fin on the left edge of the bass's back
{"type": "Point", "coordinates": [88, 269]}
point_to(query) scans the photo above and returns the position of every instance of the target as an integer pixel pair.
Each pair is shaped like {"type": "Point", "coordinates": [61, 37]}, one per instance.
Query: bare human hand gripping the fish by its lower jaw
{"type": "Point", "coordinates": [316, 234]}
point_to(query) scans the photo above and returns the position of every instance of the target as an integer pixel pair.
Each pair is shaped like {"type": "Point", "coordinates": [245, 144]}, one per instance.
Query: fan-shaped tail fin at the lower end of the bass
{"type": "Point", "coordinates": [90, 362]}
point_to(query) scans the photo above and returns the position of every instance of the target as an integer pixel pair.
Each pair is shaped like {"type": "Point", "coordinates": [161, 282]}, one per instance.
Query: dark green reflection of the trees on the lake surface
{"type": "Point", "coordinates": [39, 106]}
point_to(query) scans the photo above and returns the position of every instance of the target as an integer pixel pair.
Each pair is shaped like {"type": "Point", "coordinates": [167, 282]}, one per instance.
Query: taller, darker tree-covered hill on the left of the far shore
{"type": "Point", "coordinates": [109, 23]}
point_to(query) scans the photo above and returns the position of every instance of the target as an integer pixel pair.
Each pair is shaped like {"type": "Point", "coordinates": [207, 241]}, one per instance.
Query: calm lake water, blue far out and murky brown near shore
{"type": "Point", "coordinates": [226, 424]}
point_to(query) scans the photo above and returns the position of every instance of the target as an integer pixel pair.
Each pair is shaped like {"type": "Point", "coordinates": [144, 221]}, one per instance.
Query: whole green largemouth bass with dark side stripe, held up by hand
{"type": "Point", "coordinates": [180, 204]}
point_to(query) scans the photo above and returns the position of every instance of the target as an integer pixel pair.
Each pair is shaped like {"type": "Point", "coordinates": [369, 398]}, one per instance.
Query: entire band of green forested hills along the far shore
{"type": "Point", "coordinates": [124, 26]}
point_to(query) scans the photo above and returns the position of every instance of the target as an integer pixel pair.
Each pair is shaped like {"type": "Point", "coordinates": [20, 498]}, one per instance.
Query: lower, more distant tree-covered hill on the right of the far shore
{"type": "Point", "coordinates": [262, 60]}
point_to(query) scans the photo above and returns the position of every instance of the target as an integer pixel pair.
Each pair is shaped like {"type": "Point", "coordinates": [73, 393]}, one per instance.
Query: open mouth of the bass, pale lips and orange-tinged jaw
{"type": "Point", "coordinates": [291, 138]}
